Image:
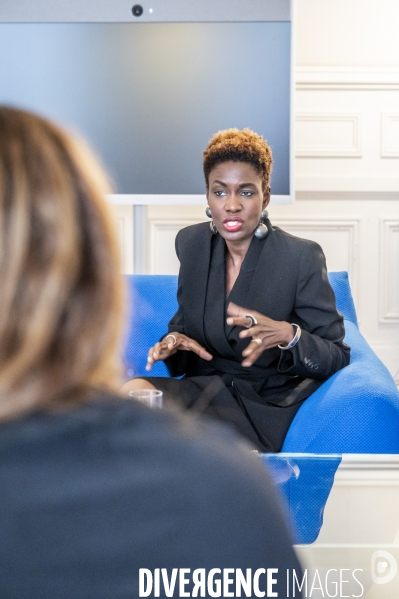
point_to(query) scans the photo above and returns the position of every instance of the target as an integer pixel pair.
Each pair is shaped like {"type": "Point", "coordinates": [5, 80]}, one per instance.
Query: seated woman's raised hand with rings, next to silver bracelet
{"type": "Point", "coordinates": [267, 333]}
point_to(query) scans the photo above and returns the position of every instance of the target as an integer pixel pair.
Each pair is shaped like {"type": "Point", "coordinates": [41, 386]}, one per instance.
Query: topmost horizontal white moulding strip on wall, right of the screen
{"type": "Point", "coordinates": [315, 77]}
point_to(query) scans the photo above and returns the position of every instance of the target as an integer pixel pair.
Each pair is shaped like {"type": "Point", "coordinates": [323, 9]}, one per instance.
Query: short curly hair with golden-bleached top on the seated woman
{"type": "Point", "coordinates": [239, 146]}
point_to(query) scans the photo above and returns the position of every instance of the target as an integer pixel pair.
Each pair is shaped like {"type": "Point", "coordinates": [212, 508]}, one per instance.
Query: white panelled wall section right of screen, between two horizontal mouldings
{"type": "Point", "coordinates": [347, 156]}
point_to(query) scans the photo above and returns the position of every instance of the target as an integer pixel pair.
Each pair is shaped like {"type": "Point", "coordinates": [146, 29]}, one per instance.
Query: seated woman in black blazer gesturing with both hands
{"type": "Point", "coordinates": [257, 330]}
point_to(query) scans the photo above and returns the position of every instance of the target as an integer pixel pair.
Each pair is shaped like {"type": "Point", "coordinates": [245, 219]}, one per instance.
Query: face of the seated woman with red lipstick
{"type": "Point", "coordinates": [236, 199]}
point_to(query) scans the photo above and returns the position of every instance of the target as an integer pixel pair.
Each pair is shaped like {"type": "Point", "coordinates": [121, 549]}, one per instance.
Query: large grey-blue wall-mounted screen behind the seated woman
{"type": "Point", "coordinates": [149, 95]}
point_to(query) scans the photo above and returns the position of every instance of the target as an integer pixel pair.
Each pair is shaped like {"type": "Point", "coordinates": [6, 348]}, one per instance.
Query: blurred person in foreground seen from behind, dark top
{"type": "Point", "coordinates": [94, 487]}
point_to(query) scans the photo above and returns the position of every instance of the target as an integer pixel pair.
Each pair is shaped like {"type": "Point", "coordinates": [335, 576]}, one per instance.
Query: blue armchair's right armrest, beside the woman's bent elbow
{"type": "Point", "coordinates": [355, 411]}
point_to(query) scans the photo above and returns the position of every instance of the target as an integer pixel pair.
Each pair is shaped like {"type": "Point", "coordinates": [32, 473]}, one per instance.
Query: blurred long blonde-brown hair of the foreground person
{"type": "Point", "coordinates": [60, 290]}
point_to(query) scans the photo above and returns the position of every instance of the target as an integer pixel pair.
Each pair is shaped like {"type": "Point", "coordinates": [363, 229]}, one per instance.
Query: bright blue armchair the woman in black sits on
{"type": "Point", "coordinates": [355, 411]}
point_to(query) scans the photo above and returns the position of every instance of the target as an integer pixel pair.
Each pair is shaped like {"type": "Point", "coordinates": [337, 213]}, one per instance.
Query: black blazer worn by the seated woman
{"type": "Point", "coordinates": [290, 284]}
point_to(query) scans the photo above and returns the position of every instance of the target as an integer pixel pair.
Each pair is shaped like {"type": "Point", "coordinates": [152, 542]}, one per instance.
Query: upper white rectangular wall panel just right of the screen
{"type": "Point", "coordinates": [353, 149]}
